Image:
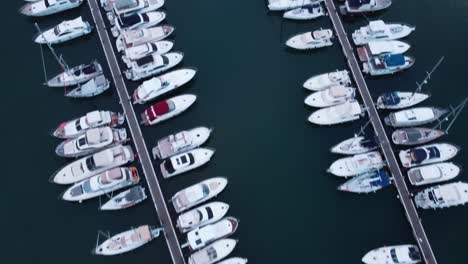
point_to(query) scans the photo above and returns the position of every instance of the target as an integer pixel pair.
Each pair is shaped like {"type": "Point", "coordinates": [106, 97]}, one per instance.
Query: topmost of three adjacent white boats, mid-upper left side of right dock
{"type": "Point", "coordinates": [327, 80]}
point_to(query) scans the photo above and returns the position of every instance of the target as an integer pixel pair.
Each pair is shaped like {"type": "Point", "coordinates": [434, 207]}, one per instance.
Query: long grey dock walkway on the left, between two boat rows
{"type": "Point", "coordinates": [141, 148]}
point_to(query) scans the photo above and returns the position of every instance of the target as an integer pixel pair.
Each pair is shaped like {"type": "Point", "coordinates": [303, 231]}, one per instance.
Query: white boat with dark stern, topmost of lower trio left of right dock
{"type": "Point", "coordinates": [355, 145]}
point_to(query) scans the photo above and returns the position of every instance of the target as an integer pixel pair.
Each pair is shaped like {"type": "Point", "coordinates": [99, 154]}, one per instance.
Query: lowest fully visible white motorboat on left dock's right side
{"type": "Point", "coordinates": [214, 252]}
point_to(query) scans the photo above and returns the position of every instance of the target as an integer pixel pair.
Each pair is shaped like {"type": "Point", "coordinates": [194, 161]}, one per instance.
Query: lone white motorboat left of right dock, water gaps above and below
{"type": "Point", "coordinates": [311, 40]}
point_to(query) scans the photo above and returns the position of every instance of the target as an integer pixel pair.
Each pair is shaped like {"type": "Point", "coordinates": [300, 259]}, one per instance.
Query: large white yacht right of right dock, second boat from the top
{"type": "Point", "coordinates": [378, 30]}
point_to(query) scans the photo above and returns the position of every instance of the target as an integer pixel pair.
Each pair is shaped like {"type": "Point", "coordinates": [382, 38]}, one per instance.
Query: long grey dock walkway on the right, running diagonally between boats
{"type": "Point", "coordinates": [399, 180]}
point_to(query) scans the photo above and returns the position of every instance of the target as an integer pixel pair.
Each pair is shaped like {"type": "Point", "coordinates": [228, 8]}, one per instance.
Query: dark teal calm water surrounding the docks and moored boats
{"type": "Point", "coordinates": [249, 90]}
